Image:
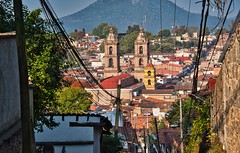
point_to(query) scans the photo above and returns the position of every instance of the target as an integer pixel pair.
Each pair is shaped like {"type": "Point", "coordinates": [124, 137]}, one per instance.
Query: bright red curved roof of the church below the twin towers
{"type": "Point", "coordinates": [112, 82]}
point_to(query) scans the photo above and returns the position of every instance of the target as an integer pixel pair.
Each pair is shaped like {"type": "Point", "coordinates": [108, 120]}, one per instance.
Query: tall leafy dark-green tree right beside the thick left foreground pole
{"type": "Point", "coordinates": [45, 59]}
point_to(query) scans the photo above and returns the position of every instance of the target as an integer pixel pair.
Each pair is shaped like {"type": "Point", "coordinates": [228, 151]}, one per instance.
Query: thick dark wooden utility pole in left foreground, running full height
{"type": "Point", "coordinates": [26, 123]}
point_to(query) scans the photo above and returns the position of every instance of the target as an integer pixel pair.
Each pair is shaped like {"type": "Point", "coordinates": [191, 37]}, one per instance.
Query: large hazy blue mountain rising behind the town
{"type": "Point", "coordinates": [122, 13]}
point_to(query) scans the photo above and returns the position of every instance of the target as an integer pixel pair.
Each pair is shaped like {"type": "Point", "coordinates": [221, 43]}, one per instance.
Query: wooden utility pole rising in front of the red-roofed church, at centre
{"type": "Point", "coordinates": [118, 104]}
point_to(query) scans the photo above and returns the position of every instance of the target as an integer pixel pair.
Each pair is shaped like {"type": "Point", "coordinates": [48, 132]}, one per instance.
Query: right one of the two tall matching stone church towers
{"type": "Point", "coordinates": [141, 49]}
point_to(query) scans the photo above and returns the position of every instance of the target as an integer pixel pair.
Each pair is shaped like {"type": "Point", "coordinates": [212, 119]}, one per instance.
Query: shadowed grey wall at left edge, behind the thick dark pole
{"type": "Point", "coordinates": [9, 84]}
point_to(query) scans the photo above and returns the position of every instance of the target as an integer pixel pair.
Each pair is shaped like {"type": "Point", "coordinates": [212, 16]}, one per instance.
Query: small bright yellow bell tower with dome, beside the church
{"type": "Point", "coordinates": [149, 77]}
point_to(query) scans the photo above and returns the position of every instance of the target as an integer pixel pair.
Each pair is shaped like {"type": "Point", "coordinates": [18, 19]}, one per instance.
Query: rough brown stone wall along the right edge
{"type": "Point", "coordinates": [225, 110]}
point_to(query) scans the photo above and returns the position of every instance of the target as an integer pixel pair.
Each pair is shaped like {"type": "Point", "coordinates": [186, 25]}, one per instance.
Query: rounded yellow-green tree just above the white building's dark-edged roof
{"type": "Point", "coordinates": [73, 100]}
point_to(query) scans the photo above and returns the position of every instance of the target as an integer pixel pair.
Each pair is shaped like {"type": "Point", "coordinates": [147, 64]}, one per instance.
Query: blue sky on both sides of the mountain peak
{"type": "Point", "coordinates": [67, 7]}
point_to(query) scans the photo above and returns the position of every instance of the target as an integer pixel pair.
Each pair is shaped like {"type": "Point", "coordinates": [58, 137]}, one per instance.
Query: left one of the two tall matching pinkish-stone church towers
{"type": "Point", "coordinates": [111, 47]}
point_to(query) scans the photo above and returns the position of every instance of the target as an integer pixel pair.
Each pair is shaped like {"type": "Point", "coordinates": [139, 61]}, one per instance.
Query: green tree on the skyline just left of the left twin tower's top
{"type": "Point", "coordinates": [103, 29]}
